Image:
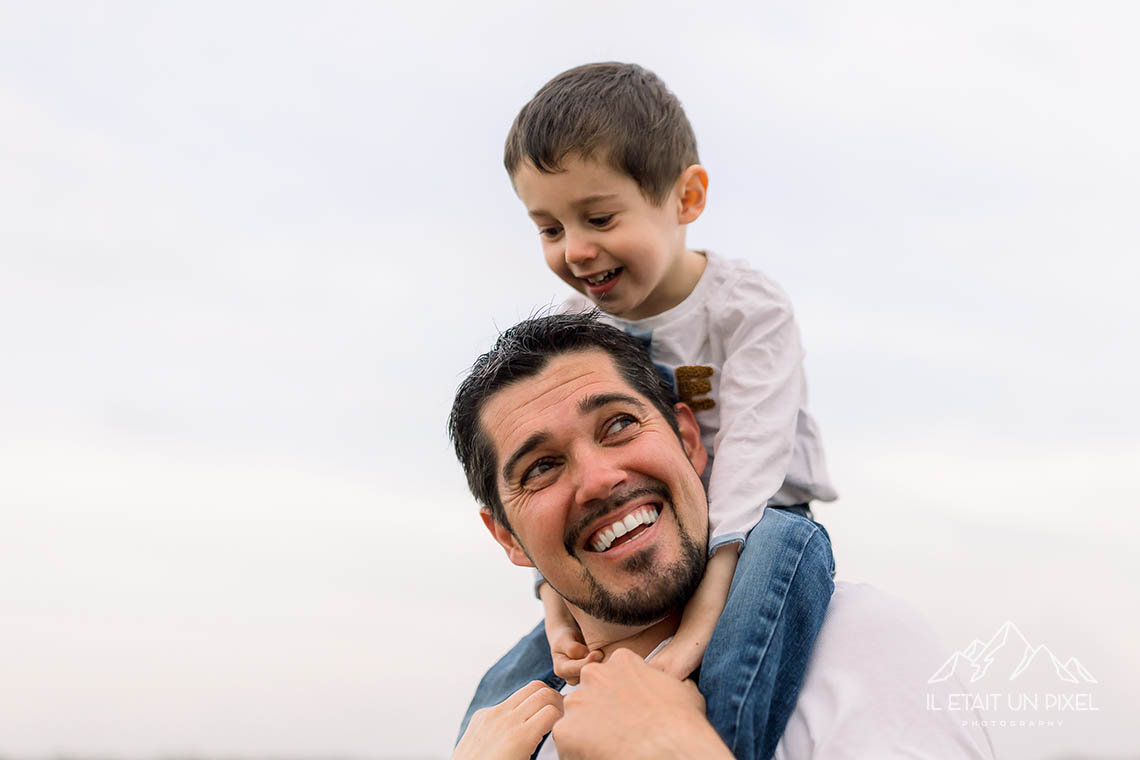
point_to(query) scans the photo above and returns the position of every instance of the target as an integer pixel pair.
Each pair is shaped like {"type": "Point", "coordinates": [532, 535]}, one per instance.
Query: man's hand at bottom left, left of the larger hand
{"type": "Point", "coordinates": [512, 729]}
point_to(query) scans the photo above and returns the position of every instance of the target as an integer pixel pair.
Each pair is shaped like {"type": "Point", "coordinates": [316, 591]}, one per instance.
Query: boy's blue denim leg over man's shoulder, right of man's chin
{"type": "Point", "coordinates": [756, 659]}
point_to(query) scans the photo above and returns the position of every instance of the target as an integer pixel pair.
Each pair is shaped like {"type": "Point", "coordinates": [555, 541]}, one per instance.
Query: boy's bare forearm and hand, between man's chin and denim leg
{"type": "Point", "coordinates": [683, 655]}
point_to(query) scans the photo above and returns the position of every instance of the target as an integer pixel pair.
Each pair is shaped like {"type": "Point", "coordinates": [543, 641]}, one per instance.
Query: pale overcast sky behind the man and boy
{"type": "Point", "coordinates": [248, 250]}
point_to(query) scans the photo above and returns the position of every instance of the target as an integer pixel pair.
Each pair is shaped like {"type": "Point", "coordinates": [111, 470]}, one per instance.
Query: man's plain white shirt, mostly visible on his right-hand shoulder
{"type": "Point", "coordinates": [866, 691]}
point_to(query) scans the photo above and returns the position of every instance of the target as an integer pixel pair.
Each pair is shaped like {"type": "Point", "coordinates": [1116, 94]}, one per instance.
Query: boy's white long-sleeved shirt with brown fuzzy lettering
{"type": "Point", "coordinates": [766, 447]}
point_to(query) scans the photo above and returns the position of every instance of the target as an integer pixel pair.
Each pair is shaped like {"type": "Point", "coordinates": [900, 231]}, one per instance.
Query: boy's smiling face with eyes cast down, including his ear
{"type": "Point", "coordinates": [606, 240]}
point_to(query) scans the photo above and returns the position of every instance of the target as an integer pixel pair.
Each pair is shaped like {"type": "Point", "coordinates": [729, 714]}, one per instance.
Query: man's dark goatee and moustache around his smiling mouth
{"type": "Point", "coordinates": [664, 590]}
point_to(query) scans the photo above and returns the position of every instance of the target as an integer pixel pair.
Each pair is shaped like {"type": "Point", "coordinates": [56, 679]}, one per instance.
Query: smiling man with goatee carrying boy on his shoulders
{"type": "Point", "coordinates": [564, 429]}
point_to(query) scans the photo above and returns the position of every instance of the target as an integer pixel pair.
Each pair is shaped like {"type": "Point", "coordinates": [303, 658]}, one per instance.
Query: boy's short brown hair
{"type": "Point", "coordinates": [620, 113]}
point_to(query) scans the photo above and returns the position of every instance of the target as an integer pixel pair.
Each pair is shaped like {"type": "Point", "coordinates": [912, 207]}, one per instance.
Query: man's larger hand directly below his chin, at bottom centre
{"type": "Point", "coordinates": [626, 709]}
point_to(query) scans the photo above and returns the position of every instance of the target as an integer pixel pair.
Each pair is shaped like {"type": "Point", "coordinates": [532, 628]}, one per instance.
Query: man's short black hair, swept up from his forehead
{"type": "Point", "coordinates": [524, 352]}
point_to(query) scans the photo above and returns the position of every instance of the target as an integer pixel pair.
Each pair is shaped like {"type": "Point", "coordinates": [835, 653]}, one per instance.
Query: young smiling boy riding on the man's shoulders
{"type": "Point", "coordinates": [606, 164]}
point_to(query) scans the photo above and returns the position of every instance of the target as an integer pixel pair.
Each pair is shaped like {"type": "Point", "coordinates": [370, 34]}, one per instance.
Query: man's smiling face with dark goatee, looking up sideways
{"type": "Point", "coordinates": [577, 452]}
